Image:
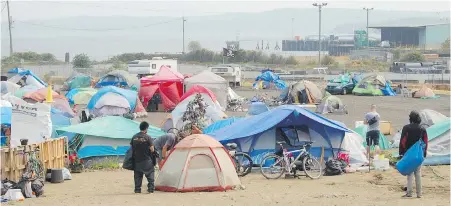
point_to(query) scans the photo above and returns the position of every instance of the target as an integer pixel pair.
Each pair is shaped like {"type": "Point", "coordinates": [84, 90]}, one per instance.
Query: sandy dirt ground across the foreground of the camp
{"type": "Point", "coordinates": [375, 188]}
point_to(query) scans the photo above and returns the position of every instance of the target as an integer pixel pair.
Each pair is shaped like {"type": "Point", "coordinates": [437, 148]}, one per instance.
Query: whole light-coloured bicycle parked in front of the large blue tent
{"type": "Point", "coordinates": [282, 161]}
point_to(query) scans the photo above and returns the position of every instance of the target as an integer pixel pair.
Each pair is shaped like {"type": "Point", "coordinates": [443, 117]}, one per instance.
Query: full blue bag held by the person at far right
{"type": "Point", "coordinates": [412, 159]}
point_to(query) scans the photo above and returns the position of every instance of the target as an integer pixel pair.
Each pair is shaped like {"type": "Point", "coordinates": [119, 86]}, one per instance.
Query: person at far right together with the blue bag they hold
{"type": "Point", "coordinates": [412, 151]}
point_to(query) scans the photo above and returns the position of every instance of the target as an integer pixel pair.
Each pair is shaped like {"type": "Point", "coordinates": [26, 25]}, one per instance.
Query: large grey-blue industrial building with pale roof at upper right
{"type": "Point", "coordinates": [427, 35]}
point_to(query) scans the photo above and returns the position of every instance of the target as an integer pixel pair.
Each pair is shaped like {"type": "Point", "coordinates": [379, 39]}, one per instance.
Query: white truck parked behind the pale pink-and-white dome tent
{"type": "Point", "coordinates": [231, 72]}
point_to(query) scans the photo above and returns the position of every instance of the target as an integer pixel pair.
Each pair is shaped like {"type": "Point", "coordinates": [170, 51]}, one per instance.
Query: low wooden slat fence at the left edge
{"type": "Point", "coordinates": [52, 154]}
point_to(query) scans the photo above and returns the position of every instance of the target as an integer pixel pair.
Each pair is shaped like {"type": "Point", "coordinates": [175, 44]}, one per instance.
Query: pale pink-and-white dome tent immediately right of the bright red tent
{"type": "Point", "coordinates": [211, 81]}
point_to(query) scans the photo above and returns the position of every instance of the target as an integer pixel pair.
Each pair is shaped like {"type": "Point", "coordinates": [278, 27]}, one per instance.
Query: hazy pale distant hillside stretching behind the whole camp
{"type": "Point", "coordinates": [118, 34]}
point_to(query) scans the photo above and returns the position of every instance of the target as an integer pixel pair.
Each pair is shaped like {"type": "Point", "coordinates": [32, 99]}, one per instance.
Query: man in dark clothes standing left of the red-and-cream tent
{"type": "Point", "coordinates": [143, 148]}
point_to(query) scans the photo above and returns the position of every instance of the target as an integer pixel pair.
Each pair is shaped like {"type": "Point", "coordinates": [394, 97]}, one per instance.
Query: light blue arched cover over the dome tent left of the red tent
{"type": "Point", "coordinates": [130, 95]}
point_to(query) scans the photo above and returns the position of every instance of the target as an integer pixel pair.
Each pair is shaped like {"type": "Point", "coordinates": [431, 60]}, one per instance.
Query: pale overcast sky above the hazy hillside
{"type": "Point", "coordinates": [35, 10]}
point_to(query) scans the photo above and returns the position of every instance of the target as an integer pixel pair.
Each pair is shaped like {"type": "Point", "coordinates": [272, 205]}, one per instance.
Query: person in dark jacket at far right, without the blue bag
{"type": "Point", "coordinates": [411, 134]}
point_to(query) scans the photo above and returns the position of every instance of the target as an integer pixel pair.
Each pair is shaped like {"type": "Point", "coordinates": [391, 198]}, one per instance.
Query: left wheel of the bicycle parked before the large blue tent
{"type": "Point", "coordinates": [272, 167]}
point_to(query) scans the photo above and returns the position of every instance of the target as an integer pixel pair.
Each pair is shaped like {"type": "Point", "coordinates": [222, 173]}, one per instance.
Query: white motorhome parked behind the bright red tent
{"type": "Point", "coordinates": [147, 67]}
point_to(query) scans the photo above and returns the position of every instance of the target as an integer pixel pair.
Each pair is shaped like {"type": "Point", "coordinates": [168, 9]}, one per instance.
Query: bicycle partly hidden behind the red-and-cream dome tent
{"type": "Point", "coordinates": [243, 162]}
